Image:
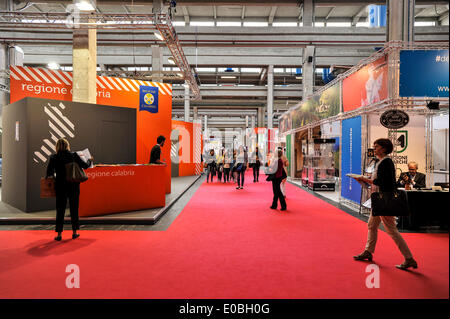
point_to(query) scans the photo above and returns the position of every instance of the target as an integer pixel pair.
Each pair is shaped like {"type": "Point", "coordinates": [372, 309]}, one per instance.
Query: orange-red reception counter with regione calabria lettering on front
{"type": "Point", "coordinates": [122, 188]}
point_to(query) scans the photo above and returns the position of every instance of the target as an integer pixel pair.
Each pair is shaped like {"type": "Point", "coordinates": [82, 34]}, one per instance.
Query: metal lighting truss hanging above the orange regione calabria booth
{"type": "Point", "coordinates": [160, 23]}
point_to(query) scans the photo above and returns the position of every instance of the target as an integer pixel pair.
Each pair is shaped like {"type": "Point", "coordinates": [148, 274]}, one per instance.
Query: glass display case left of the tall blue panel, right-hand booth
{"type": "Point", "coordinates": [320, 165]}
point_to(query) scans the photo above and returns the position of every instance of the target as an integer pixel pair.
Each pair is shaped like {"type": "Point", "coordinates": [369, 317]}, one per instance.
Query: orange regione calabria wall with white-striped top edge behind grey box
{"type": "Point", "coordinates": [55, 84]}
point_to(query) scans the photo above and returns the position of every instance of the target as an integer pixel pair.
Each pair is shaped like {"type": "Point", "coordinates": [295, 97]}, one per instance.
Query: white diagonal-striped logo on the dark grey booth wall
{"type": "Point", "coordinates": [60, 126]}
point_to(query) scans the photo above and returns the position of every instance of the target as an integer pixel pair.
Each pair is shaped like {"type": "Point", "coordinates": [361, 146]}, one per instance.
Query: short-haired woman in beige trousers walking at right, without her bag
{"type": "Point", "coordinates": [384, 178]}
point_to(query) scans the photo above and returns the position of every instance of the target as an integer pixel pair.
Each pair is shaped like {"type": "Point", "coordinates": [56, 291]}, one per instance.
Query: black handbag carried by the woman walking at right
{"type": "Point", "coordinates": [390, 203]}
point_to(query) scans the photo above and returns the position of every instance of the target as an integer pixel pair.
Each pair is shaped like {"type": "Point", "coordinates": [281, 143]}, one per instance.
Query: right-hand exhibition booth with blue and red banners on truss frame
{"type": "Point", "coordinates": [331, 133]}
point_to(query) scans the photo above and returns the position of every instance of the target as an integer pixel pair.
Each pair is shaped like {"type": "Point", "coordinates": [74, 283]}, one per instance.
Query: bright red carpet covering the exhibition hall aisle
{"type": "Point", "coordinates": [226, 243]}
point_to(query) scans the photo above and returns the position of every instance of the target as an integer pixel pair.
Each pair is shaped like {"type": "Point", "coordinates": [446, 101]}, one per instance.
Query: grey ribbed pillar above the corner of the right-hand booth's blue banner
{"type": "Point", "coordinates": [400, 20]}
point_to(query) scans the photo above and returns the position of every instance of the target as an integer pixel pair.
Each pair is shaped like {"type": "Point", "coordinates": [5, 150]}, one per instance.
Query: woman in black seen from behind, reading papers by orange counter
{"type": "Point", "coordinates": [63, 188]}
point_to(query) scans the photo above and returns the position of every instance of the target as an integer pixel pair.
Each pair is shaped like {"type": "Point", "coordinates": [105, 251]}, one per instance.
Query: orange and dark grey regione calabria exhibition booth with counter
{"type": "Point", "coordinates": [119, 131]}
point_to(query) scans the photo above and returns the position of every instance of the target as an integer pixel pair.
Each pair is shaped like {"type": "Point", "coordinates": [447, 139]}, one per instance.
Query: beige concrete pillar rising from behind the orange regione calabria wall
{"type": "Point", "coordinates": [84, 61]}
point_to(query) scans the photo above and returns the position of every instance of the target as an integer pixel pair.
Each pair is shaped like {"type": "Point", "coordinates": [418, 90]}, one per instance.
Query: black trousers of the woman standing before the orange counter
{"type": "Point", "coordinates": [73, 194]}
